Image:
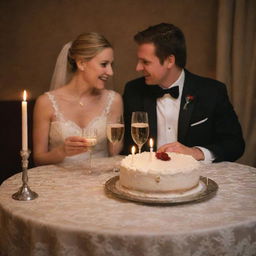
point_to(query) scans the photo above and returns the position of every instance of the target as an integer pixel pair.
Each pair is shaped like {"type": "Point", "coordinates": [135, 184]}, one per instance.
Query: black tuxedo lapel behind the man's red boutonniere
{"type": "Point", "coordinates": [185, 113]}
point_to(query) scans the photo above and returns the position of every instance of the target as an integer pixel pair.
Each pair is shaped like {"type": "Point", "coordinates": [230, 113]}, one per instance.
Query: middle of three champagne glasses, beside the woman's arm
{"type": "Point", "coordinates": [115, 132]}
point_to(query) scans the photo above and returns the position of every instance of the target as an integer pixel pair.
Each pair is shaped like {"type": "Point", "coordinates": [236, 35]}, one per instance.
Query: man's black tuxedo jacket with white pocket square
{"type": "Point", "coordinates": [208, 120]}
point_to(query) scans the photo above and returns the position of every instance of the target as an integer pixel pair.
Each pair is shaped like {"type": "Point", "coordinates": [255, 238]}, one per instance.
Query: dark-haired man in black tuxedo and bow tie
{"type": "Point", "coordinates": [187, 113]}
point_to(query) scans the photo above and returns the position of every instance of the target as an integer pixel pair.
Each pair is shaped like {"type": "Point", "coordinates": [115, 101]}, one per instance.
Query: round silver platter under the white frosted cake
{"type": "Point", "coordinates": [206, 189]}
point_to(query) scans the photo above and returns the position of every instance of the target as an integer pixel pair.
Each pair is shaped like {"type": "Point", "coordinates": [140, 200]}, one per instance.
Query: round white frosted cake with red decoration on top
{"type": "Point", "coordinates": [146, 173]}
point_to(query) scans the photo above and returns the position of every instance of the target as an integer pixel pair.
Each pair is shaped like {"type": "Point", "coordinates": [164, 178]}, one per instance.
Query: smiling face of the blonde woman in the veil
{"type": "Point", "coordinates": [97, 70]}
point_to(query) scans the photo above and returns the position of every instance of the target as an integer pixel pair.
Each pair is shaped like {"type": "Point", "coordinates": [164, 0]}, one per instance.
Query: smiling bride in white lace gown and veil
{"type": "Point", "coordinates": [63, 114]}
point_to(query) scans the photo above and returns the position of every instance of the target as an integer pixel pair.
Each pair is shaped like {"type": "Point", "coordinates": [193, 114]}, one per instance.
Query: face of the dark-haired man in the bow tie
{"type": "Point", "coordinates": [149, 64]}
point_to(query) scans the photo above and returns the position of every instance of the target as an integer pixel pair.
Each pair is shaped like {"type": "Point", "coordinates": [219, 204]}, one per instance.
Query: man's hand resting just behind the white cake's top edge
{"type": "Point", "coordinates": [180, 148]}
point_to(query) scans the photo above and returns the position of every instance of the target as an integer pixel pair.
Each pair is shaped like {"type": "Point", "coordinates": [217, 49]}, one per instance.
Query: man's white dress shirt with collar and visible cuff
{"type": "Point", "coordinates": [168, 110]}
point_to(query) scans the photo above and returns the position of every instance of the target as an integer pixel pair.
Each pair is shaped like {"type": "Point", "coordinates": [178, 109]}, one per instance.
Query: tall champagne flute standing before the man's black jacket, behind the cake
{"type": "Point", "coordinates": [139, 128]}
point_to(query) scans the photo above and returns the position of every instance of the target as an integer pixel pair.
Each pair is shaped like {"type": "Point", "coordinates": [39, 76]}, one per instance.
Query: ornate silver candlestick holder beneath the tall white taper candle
{"type": "Point", "coordinates": [25, 193]}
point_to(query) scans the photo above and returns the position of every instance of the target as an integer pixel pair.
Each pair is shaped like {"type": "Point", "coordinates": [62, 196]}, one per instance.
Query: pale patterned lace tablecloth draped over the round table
{"type": "Point", "coordinates": [74, 216]}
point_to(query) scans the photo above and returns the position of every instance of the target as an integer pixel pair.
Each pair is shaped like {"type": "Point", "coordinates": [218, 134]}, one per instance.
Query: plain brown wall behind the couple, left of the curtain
{"type": "Point", "coordinates": [33, 32]}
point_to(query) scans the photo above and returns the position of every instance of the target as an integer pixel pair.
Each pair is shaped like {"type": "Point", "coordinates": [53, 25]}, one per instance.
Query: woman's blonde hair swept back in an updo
{"type": "Point", "coordinates": [86, 46]}
